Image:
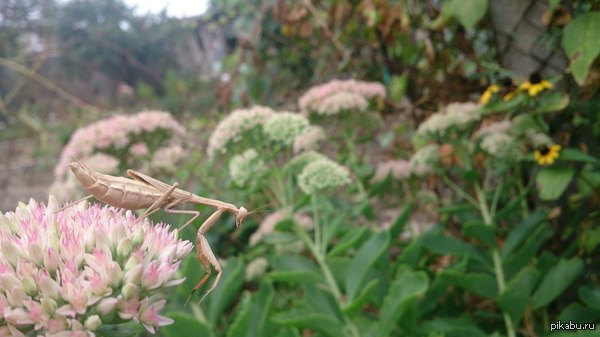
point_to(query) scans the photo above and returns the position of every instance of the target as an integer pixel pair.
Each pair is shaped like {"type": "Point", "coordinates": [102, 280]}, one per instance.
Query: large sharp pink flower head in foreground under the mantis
{"type": "Point", "coordinates": [66, 274]}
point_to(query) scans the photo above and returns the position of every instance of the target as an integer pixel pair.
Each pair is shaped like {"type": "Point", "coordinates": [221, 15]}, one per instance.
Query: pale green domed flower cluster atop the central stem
{"type": "Point", "coordinates": [322, 174]}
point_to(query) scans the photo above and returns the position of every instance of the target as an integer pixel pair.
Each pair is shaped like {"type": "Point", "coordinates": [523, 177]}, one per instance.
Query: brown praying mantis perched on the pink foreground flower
{"type": "Point", "coordinates": [143, 191]}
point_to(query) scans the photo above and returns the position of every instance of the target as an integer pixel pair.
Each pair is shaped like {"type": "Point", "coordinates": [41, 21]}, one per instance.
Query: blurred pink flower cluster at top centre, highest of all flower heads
{"type": "Point", "coordinates": [336, 96]}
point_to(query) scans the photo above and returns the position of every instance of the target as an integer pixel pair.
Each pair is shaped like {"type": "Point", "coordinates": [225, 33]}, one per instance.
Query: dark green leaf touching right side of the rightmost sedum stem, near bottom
{"type": "Point", "coordinates": [515, 297]}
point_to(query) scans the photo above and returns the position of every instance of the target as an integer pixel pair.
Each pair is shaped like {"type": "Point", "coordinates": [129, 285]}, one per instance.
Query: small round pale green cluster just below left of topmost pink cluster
{"type": "Point", "coordinates": [285, 126]}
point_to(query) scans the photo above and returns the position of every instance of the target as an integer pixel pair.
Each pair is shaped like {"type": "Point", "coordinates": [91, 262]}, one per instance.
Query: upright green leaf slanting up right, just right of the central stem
{"type": "Point", "coordinates": [364, 259]}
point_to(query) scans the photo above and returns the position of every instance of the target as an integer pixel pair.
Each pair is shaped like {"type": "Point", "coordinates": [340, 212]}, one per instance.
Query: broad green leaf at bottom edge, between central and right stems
{"type": "Point", "coordinates": [403, 292]}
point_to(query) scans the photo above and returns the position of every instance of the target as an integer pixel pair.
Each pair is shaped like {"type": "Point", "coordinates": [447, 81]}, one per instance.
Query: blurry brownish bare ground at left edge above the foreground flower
{"type": "Point", "coordinates": [24, 172]}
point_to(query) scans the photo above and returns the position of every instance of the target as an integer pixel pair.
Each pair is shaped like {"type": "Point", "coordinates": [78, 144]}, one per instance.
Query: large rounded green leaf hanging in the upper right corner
{"type": "Point", "coordinates": [581, 43]}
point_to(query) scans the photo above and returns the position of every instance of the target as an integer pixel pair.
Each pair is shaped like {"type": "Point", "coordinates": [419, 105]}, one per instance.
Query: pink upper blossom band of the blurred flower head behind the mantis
{"type": "Point", "coordinates": [116, 132]}
